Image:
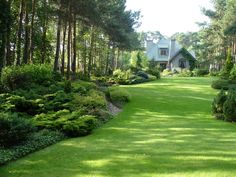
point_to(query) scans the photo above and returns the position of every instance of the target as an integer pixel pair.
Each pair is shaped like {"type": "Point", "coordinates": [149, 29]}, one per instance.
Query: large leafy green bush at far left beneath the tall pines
{"type": "Point", "coordinates": [14, 77]}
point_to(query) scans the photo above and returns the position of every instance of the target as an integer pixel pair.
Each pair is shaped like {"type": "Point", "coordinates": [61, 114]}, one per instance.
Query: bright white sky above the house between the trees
{"type": "Point", "coordinates": [169, 16]}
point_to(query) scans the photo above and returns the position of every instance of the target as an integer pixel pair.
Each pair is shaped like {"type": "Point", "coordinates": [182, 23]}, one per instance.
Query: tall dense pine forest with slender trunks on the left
{"type": "Point", "coordinates": [89, 36]}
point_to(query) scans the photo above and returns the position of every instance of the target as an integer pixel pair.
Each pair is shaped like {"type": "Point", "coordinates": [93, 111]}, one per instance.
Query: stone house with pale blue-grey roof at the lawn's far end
{"type": "Point", "coordinates": [167, 53]}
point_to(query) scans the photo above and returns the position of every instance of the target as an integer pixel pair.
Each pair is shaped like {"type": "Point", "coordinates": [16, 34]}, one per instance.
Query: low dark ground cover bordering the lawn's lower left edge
{"type": "Point", "coordinates": [36, 141]}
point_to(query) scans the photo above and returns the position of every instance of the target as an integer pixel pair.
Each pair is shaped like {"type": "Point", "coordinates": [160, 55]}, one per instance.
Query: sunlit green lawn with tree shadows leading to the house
{"type": "Point", "coordinates": [167, 130]}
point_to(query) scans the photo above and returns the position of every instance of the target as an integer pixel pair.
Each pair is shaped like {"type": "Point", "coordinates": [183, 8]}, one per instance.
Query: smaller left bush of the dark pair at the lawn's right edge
{"type": "Point", "coordinates": [217, 104]}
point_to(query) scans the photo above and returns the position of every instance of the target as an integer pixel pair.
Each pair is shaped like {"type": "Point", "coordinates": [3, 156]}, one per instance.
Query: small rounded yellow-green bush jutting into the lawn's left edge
{"type": "Point", "coordinates": [119, 96]}
